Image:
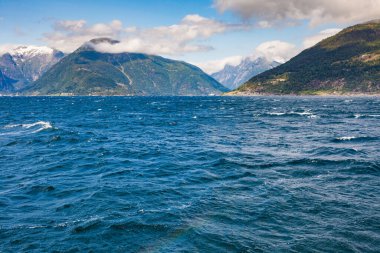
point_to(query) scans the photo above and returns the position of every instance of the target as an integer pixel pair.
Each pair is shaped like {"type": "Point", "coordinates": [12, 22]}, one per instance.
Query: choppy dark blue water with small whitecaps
{"type": "Point", "coordinates": [189, 174]}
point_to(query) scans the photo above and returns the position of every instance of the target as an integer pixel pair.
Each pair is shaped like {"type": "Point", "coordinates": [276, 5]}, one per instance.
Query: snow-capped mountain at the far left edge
{"type": "Point", "coordinates": [25, 64]}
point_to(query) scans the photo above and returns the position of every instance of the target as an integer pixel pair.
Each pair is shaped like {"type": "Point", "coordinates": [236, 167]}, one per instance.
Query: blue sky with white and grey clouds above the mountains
{"type": "Point", "coordinates": [207, 33]}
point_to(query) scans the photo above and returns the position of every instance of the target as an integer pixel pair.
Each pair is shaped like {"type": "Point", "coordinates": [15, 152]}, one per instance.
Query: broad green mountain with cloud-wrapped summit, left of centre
{"type": "Point", "coordinates": [89, 72]}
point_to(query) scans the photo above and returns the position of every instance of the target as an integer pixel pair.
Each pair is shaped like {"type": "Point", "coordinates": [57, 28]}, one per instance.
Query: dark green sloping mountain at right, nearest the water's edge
{"type": "Point", "coordinates": [347, 63]}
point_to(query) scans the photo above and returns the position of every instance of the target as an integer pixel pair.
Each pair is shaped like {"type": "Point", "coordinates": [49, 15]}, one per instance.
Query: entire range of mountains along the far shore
{"type": "Point", "coordinates": [347, 63]}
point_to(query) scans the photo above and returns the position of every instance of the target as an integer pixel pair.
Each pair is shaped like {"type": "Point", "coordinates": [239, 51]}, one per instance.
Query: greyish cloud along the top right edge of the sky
{"type": "Point", "coordinates": [269, 12]}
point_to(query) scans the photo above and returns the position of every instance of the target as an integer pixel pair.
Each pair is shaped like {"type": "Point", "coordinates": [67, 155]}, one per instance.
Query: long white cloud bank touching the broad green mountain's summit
{"type": "Point", "coordinates": [184, 37]}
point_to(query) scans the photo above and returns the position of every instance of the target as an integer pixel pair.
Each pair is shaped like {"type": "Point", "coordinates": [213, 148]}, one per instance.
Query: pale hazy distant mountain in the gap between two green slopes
{"type": "Point", "coordinates": [234, 76]}
